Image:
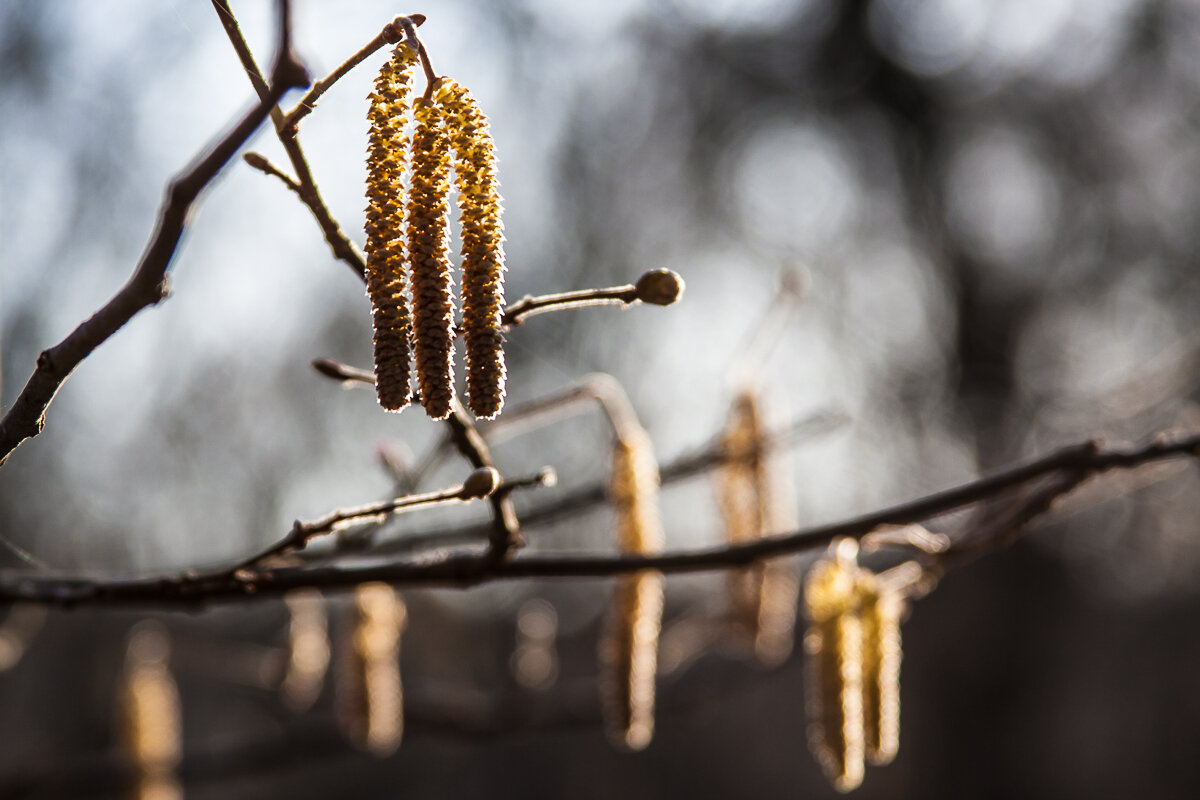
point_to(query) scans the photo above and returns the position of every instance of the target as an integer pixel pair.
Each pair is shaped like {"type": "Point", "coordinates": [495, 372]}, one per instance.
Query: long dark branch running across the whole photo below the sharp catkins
{"type": "Point", "coordinates": [1070, 466]}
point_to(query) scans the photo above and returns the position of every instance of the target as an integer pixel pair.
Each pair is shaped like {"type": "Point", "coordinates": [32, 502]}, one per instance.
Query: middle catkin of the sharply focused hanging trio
{"type": "Point", "coordinates": [428, 227]}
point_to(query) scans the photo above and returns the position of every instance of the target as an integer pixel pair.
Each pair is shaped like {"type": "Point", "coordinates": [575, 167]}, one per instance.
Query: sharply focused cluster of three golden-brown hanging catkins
{"type": "Point", "coordinates": [410, 275]}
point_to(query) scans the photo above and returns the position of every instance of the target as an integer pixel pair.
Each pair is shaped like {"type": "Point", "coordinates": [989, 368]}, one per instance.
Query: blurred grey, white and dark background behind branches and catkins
{"type": "Point", "coordinates": [995, 206]}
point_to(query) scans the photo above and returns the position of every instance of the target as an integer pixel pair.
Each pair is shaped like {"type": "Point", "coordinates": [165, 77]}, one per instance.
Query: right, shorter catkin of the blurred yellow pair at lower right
{"type": "Point", "coordinates": [881, 611]}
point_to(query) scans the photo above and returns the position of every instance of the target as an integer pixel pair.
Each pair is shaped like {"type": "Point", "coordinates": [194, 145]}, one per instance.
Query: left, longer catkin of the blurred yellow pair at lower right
{"type": "Point", "coordinates": [833, 648]}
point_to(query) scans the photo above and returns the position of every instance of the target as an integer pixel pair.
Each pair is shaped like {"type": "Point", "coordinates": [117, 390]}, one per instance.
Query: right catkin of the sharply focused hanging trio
{"type": "Point", "coordinates": [483, 249]}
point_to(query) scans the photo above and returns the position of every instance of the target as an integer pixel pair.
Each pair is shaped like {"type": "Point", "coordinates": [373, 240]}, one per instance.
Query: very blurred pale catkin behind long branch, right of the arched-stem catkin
{"type": "Point", "coordinates": [763, 597]}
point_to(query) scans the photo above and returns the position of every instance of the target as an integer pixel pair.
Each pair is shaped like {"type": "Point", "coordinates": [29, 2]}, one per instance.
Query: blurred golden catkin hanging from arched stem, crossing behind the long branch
{"type": "Point", "coordinates": [631, 645]}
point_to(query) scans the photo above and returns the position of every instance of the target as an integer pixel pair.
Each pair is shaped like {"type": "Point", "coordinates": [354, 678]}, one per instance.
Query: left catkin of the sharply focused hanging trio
{"type": "Point", "coordinates": [385, 222]}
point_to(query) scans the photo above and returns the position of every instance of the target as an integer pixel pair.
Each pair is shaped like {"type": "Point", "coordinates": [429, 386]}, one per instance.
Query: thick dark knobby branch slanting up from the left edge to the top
{"type": "Point", "coordinates": [148, 285]}
